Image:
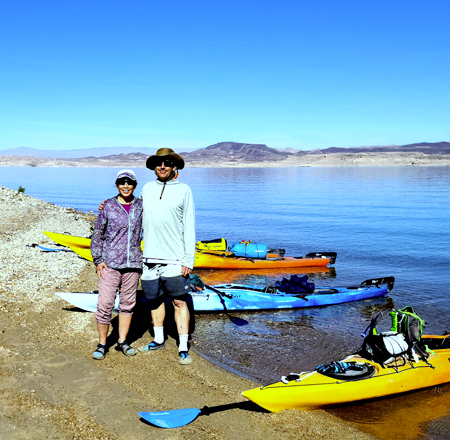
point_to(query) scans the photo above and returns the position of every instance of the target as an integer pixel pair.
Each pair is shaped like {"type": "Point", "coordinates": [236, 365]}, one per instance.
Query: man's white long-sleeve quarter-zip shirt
{"type": "Point", "coordinates": [169, 223]}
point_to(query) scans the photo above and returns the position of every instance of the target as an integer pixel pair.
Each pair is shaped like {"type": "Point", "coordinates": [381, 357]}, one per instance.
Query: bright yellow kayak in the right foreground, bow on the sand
{"type": "Point", "coordinates": [314, 390]}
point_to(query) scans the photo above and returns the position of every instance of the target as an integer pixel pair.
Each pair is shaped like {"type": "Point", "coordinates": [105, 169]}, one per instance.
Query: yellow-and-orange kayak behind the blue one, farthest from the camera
{"type": "Point", "coordinates": [206, 259]}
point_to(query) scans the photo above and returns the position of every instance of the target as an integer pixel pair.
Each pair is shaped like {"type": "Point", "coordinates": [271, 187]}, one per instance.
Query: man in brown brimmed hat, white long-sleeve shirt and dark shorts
{"type": "Point", "coordinates": [169, 247]}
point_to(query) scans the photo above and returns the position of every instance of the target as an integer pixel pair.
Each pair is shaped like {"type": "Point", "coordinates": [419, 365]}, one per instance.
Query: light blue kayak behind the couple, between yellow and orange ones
{"type": "Point", "coordinates": [242, 297]}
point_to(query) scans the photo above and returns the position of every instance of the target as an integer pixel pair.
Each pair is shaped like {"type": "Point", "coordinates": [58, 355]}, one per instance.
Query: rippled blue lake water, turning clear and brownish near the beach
{"type": "Point", "coordinates": [380, 221]}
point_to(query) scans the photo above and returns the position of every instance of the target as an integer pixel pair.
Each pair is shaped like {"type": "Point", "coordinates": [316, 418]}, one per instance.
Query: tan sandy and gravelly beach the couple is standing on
{"type": "Point", "coordinates": [52, 388]}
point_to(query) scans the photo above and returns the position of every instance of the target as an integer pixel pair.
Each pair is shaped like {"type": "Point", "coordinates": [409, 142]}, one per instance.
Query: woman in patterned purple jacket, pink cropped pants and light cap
{"type": "Point", "coordinates": [116, 250]}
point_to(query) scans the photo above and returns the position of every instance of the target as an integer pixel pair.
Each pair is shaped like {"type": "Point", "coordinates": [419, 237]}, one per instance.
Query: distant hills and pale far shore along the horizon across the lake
{"type": "Point", "coordinates": [231, 154]}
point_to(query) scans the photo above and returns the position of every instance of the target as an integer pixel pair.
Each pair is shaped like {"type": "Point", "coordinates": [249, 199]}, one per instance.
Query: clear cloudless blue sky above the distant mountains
{"type": "Point", "coordinates": [186, 74]}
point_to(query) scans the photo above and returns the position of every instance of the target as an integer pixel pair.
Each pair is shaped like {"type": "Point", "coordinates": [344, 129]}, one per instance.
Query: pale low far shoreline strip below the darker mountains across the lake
{"type": "Point", "coordinates": [385, 159]}
